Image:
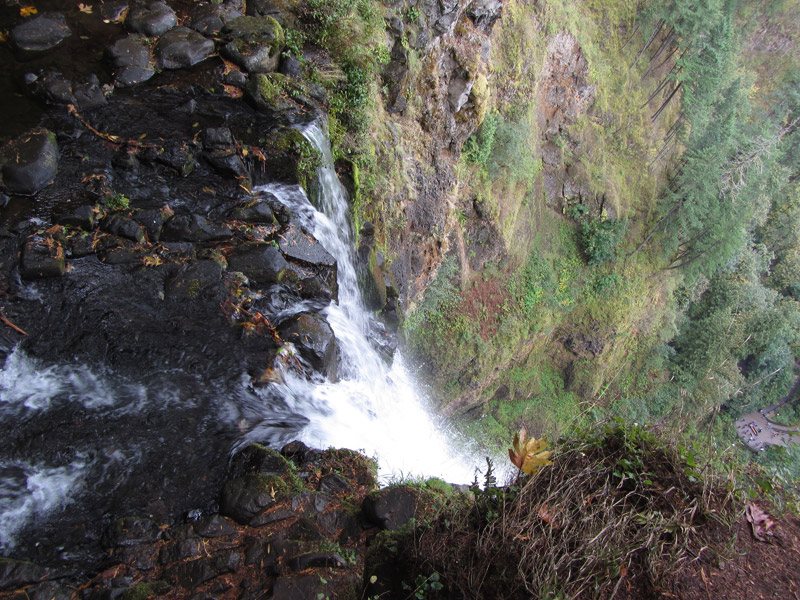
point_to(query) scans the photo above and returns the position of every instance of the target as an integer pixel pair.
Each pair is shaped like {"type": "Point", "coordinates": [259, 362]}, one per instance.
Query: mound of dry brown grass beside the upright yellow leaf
{"type": "Point", "coordinates": [617, 515]}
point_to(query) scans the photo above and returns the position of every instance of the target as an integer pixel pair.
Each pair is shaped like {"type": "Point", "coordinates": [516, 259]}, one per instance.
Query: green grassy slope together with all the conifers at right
{"type": "Point", "coordinates": [624, 240]}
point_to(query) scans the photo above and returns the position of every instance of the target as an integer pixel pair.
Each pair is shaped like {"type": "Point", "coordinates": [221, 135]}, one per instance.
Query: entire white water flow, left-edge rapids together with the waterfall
{"type": "Point", "coordinates": [374, 407]}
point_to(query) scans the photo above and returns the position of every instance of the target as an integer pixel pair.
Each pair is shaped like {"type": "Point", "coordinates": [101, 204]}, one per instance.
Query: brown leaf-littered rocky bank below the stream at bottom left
{"type": "Point", "coordinates": [293, 546]}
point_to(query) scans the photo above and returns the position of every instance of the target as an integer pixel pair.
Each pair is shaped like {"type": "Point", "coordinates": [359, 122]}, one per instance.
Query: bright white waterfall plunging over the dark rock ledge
{"type": "Point", "coordinates": [374, 407]}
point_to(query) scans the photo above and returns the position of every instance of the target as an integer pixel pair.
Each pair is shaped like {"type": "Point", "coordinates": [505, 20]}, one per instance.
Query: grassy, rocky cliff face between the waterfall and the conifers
{"type": "Point", "coordinates": [491, 190]}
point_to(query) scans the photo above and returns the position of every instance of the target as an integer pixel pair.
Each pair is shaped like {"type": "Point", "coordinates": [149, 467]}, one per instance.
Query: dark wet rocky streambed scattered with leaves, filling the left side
{"type": "Point", "coordinates": [132, 242]}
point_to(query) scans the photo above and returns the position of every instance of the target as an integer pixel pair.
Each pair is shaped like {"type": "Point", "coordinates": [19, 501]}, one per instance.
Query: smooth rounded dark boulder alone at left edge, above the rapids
{"type": "Point", "coordinates": [30, 162]}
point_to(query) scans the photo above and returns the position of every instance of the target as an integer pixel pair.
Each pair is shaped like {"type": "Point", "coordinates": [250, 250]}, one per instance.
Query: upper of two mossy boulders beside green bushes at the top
{"type": "Point", "coordinates": [253, 43]}
